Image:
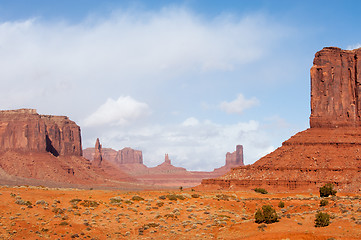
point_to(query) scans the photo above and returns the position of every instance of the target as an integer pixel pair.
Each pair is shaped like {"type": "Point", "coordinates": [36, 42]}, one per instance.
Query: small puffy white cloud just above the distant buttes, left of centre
{"type": "Point", "coordinates": [118, 112]}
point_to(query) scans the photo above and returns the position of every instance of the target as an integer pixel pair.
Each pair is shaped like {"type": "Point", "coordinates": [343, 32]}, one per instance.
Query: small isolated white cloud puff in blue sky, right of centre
{"type": "Point", "coordinates": [238, 105]}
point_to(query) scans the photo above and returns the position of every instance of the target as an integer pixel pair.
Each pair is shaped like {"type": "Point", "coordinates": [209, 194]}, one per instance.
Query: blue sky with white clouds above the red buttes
{"type": "Point", "coordinates": [191, 78]}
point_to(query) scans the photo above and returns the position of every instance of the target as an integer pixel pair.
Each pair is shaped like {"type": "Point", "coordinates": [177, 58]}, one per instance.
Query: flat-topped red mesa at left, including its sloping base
{"type": "Point", "coordinates": [46, 150]}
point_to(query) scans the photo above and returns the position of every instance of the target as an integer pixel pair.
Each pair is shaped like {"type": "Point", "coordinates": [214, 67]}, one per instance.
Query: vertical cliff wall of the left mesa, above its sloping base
{"type": "Point", "coordinates": [27, 131]}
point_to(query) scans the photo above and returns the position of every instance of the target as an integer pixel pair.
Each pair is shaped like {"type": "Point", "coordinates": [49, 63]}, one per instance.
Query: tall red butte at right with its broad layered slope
{"type": "Point", "coordinates": [330, 150]}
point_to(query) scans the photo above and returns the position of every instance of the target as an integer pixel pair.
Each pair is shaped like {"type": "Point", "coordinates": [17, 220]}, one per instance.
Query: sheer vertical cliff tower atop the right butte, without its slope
{"type": "Point", "coordinates": [335, 88]}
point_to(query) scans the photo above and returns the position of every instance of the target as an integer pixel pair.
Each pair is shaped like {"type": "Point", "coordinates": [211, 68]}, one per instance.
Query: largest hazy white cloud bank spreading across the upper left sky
{"type": "Point", "coordinates": [127, 51]}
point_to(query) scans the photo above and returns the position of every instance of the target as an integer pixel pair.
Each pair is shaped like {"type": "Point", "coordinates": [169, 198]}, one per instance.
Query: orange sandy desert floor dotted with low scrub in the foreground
{"type": "Point", "coordinates": [44, 213]}
